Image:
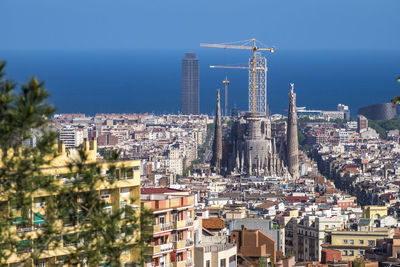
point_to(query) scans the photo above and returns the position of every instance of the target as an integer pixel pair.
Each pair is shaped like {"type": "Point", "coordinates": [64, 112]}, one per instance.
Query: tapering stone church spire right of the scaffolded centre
{"type": "Point", "coordinates": [292, 141]}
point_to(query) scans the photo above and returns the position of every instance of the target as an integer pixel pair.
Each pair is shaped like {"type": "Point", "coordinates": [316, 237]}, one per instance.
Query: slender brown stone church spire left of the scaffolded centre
{"type": "Point", "coordinates": [217, 143]}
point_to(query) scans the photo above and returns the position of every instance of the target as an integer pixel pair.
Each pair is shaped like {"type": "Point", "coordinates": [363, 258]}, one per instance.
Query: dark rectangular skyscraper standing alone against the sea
{"type": "Point", "coordinates": [190, 84]}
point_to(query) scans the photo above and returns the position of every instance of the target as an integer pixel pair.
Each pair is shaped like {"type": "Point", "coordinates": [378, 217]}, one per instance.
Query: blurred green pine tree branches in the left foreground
{"type": "Point", "coordinates": [75, 217]}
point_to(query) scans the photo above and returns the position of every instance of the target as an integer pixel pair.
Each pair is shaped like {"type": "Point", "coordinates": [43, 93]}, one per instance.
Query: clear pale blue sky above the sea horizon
{"type": "Point", "coordinates": [183, 24]}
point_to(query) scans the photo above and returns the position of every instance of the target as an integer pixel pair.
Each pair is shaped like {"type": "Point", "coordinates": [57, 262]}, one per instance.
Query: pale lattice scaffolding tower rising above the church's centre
{"type": "Point", "coordinates": [261, 82]}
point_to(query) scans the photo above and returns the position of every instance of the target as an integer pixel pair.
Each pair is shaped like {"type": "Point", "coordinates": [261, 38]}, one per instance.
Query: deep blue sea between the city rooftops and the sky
{"type": "Point", "coordinates": [150, 81]}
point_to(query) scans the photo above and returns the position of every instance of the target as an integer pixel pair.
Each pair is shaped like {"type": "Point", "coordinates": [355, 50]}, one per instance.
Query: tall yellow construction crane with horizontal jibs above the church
{"type": "Point", "coordinates": [248, 45]}
